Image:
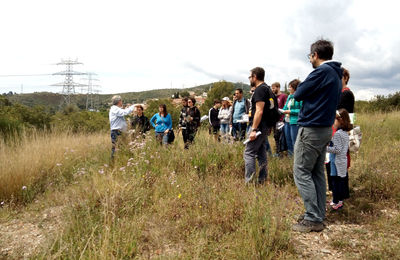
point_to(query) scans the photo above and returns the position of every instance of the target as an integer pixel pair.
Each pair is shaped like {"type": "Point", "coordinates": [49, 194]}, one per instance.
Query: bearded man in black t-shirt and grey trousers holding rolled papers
{"type": "Point", "coordinates": [256, 148]}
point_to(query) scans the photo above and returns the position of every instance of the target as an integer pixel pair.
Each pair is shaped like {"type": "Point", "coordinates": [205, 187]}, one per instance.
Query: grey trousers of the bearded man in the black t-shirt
{"type": "Point", "coordinates": [256, 149]}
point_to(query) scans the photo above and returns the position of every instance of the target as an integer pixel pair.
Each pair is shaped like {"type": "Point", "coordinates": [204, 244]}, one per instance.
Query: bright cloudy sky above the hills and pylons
{"type": "Point", "coordinates": [143, 45]}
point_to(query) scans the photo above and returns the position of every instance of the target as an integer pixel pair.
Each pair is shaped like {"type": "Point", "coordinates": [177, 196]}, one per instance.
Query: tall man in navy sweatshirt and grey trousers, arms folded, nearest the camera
{"type": "Point", "coordinates": [320, 93]}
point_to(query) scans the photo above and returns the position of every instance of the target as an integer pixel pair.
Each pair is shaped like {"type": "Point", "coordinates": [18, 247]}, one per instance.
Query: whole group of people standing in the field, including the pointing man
{"type": "Point", "coordinates": [315, 120]}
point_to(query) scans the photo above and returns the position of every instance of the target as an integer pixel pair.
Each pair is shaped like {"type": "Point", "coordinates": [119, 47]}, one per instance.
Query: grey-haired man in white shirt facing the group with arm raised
{"type": "Point", "coordinates": [118, 124]}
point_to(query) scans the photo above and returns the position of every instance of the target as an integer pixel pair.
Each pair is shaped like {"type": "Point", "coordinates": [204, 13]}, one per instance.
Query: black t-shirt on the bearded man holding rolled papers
{"type": "Point", "coordinates": [262, 93]}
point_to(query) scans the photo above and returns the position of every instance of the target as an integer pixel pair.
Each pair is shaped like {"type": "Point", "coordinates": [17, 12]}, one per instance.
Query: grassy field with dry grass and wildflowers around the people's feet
{"type": "Point", "coordinates": [171, 203]}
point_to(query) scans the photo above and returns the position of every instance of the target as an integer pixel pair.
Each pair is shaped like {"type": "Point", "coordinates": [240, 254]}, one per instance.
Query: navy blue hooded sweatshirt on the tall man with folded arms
{"type": "Point", "coordinates": [320, 93]}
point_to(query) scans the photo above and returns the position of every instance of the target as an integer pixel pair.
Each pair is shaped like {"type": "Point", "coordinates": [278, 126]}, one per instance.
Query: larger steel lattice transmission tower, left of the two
{"type": "Point", "coordinates": [68, 84]}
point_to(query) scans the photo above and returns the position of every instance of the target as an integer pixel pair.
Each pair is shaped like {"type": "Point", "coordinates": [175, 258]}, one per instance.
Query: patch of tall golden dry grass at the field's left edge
{"type": "Point", "coordinates": [37, 159]}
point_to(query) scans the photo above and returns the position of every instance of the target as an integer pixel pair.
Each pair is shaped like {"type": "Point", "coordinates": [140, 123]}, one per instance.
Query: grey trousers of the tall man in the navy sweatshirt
{"type": "Point", "coordinates": [309, 175]}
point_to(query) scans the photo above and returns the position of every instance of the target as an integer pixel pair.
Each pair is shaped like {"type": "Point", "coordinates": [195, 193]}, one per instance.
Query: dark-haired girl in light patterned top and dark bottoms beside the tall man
{"type": "Point", "coordinates": [338, 157]}
